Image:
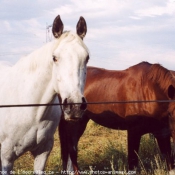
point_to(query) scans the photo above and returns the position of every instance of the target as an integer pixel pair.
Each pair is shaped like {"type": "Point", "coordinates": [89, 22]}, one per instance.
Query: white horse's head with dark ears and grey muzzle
{"type": "Point", "coordinates": [70, 56]}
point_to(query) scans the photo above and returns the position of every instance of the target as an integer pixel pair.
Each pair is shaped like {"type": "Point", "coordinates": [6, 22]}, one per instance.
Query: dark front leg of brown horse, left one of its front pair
{"type": "Point", "coordinates": [133, 148]}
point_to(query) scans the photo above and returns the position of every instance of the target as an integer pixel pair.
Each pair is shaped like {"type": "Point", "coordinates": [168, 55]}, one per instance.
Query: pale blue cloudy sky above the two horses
{"type": "Point", "coordinates": [121, 33]}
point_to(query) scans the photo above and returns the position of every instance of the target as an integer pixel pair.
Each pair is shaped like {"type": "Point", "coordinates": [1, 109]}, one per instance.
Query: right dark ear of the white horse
{"type": "Point", "coordinates": [81, 27]}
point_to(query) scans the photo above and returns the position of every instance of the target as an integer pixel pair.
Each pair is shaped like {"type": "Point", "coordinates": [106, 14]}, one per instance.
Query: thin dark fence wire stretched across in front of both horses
{"type": "Point", "coordinates": [88, 103]}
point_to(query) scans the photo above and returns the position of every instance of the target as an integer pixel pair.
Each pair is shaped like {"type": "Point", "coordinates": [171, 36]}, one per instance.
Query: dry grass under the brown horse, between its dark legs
{"type": "Point", "coordinates": [106, 149]}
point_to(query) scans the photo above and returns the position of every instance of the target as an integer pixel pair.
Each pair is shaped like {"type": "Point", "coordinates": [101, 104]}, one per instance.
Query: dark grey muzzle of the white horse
{"type": "Point", "coordinates": [73, 111]}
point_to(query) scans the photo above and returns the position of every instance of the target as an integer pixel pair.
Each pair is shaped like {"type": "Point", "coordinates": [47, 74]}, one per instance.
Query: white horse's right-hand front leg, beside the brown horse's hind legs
{"type": "Point", "coordinates": [40, 156]}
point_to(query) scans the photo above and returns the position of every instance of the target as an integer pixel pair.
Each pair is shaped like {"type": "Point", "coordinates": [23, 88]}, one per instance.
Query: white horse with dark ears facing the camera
{"type": "Point", "coordinates": [59, 67]}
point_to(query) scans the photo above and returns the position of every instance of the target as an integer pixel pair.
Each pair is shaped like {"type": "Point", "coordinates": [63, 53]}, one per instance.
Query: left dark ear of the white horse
{"type": "Point", "coordinates": [57, 28]}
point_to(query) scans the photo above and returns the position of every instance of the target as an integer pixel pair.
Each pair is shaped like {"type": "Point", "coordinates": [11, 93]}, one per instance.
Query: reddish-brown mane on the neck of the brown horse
{"type": "Point", "coordinates": [161, 76]}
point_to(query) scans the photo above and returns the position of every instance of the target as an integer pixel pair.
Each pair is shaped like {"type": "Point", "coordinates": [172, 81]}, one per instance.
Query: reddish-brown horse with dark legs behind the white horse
{"type": "Point", "coordinates": [142, 82]}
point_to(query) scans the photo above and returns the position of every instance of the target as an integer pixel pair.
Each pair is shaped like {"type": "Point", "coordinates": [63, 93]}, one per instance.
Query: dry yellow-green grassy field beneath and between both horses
{"type": "Point", "coordinates": [102, 150]}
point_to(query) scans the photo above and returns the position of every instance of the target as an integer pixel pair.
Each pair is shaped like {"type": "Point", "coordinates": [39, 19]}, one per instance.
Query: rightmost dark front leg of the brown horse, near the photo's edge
{"type": "Point", "coordinates": [165, 148]}
